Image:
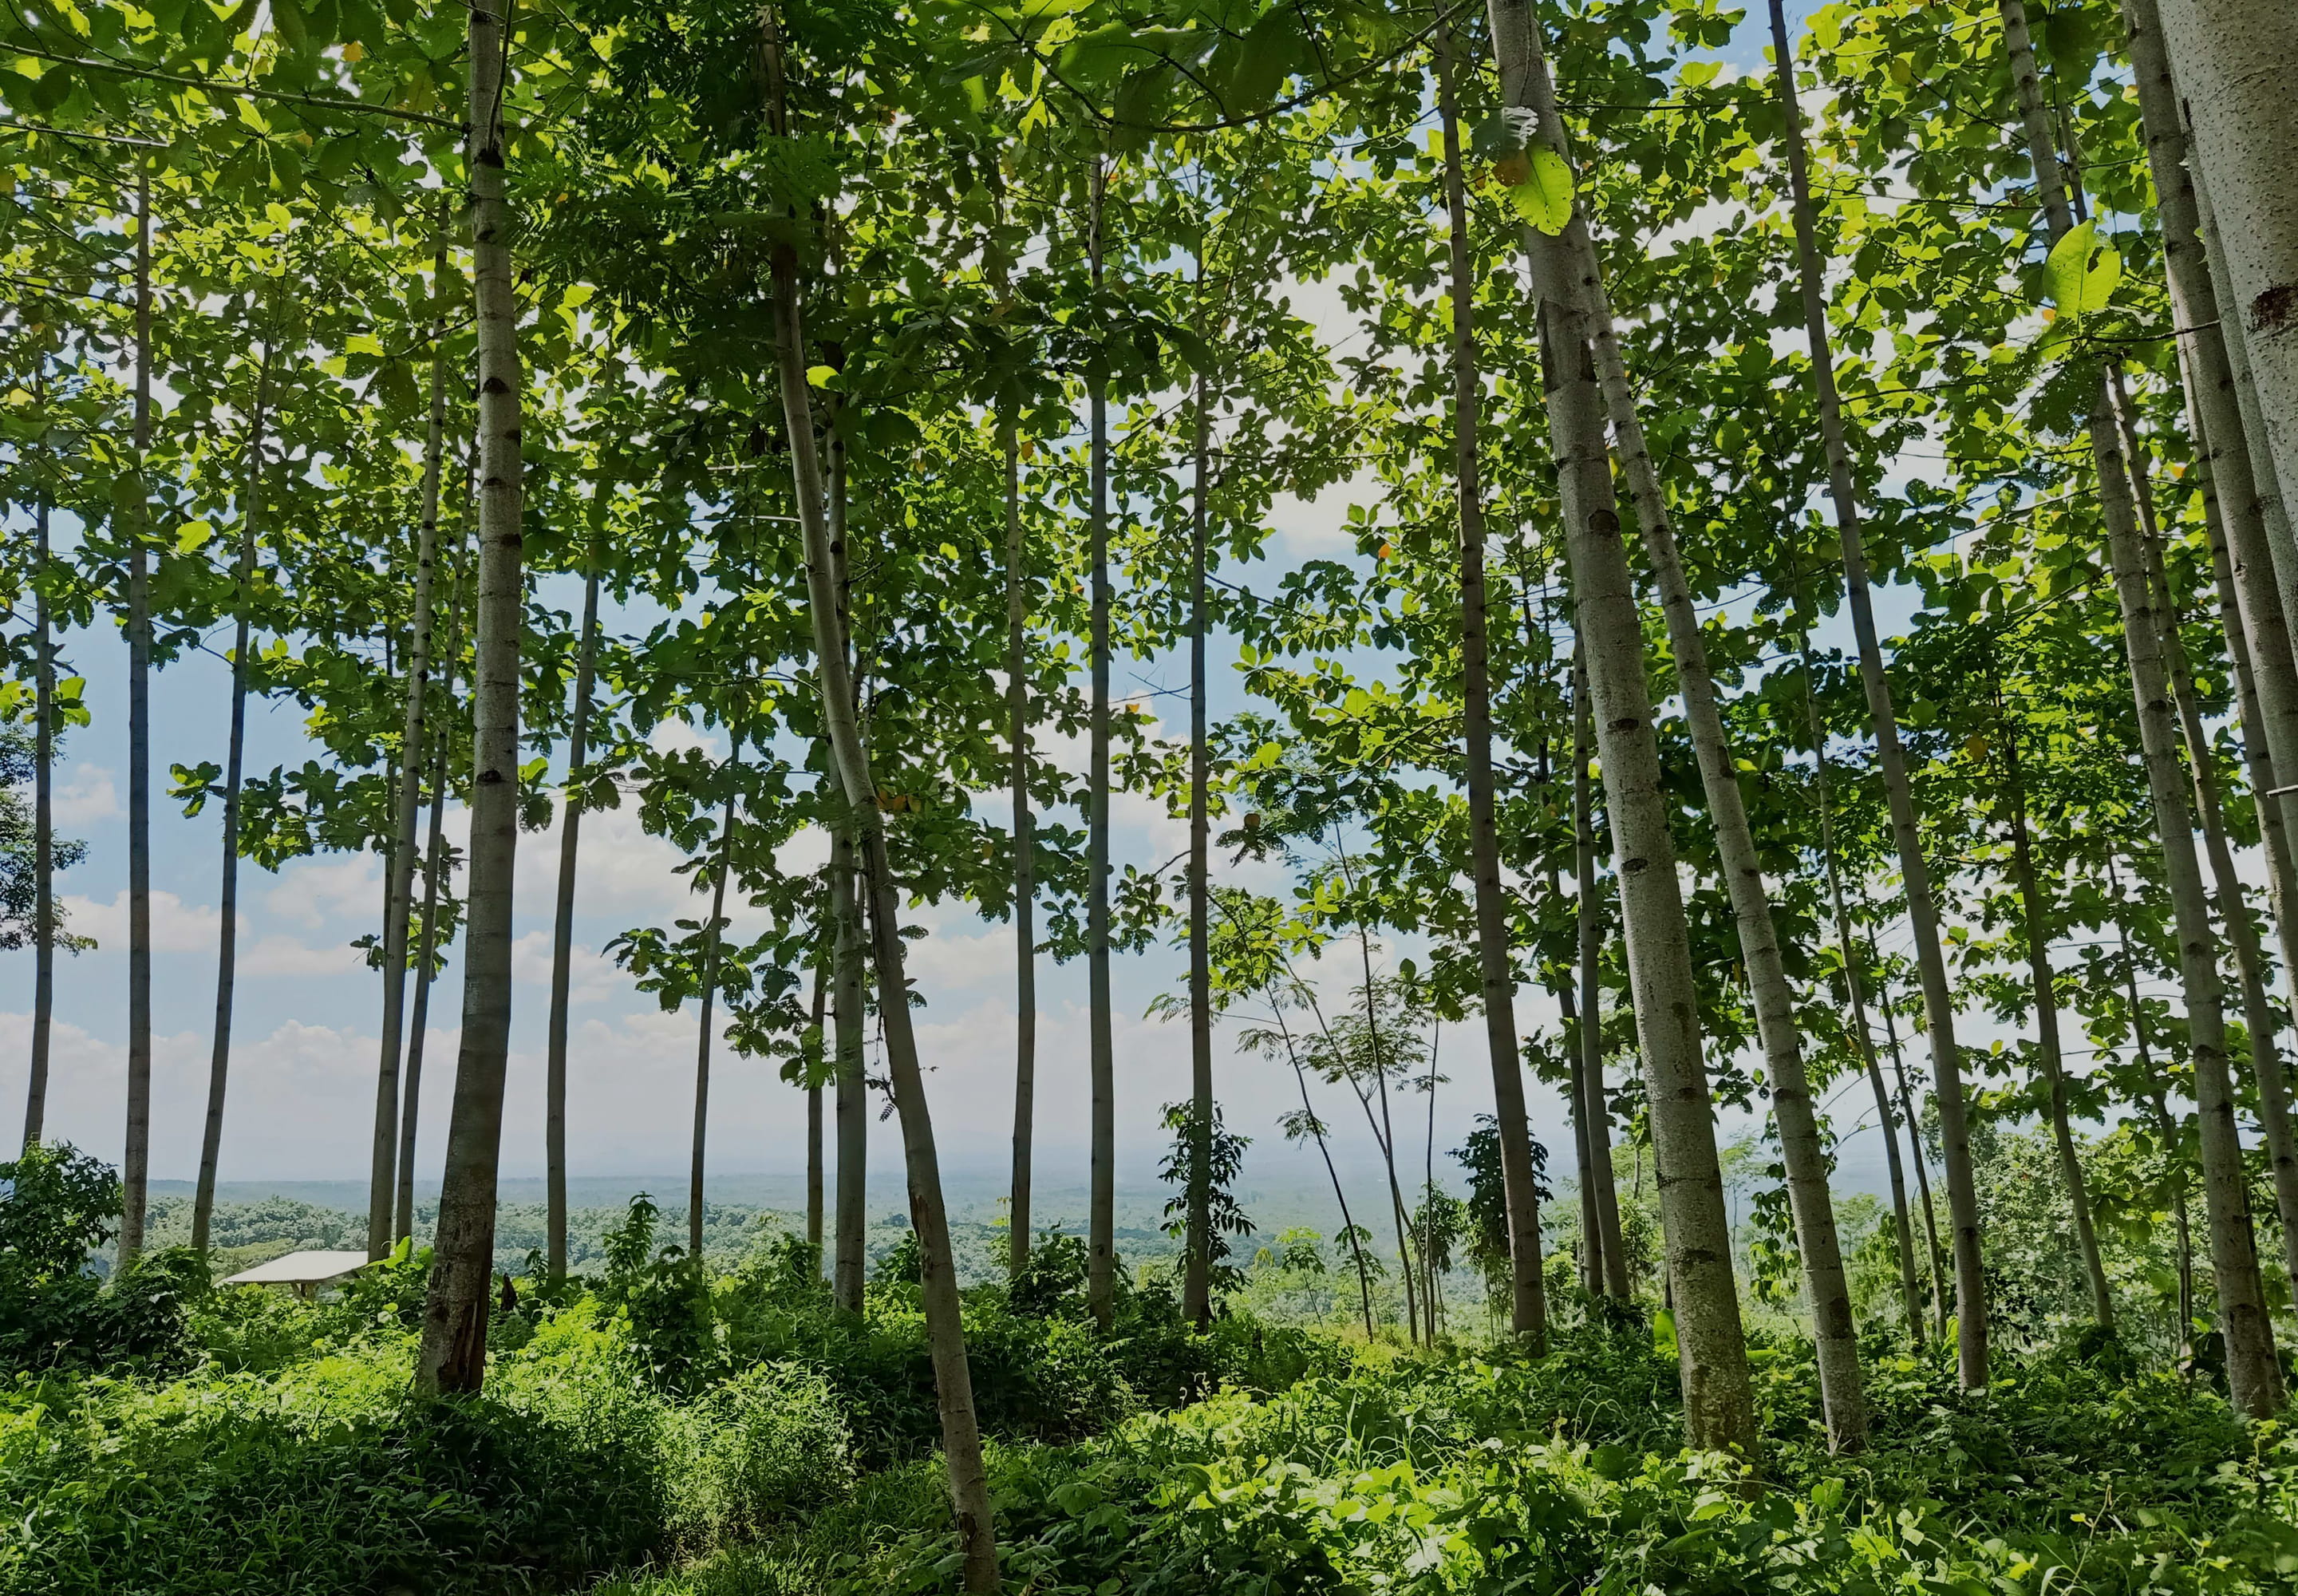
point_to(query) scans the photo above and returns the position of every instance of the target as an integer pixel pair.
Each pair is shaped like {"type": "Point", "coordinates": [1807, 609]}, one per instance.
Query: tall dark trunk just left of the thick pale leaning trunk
{"type": "Point", "coordinates": [1497, 976]}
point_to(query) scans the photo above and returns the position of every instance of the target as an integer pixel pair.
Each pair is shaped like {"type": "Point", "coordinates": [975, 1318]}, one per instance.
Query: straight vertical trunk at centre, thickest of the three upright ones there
{"type": "Point", "coordinates": [1102, 1202]}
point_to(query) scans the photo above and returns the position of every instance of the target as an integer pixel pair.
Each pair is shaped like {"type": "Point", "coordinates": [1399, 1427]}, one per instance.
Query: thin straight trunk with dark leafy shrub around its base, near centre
{"type": "Point", "coordinates": [1198, 1271]}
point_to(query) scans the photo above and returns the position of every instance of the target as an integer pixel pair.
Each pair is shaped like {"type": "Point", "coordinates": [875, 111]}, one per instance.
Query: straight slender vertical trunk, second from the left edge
{"type": "Point", "coordinates": [137, 1163]}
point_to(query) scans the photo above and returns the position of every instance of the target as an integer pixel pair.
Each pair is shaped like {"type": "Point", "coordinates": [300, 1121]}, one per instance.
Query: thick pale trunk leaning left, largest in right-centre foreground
{"type": "Point", "coordinates": [1720, 1411]}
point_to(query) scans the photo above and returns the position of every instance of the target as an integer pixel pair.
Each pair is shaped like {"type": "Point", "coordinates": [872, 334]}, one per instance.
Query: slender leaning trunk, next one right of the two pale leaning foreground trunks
{"type": "Point", "coordinates": [1906, 834]}
